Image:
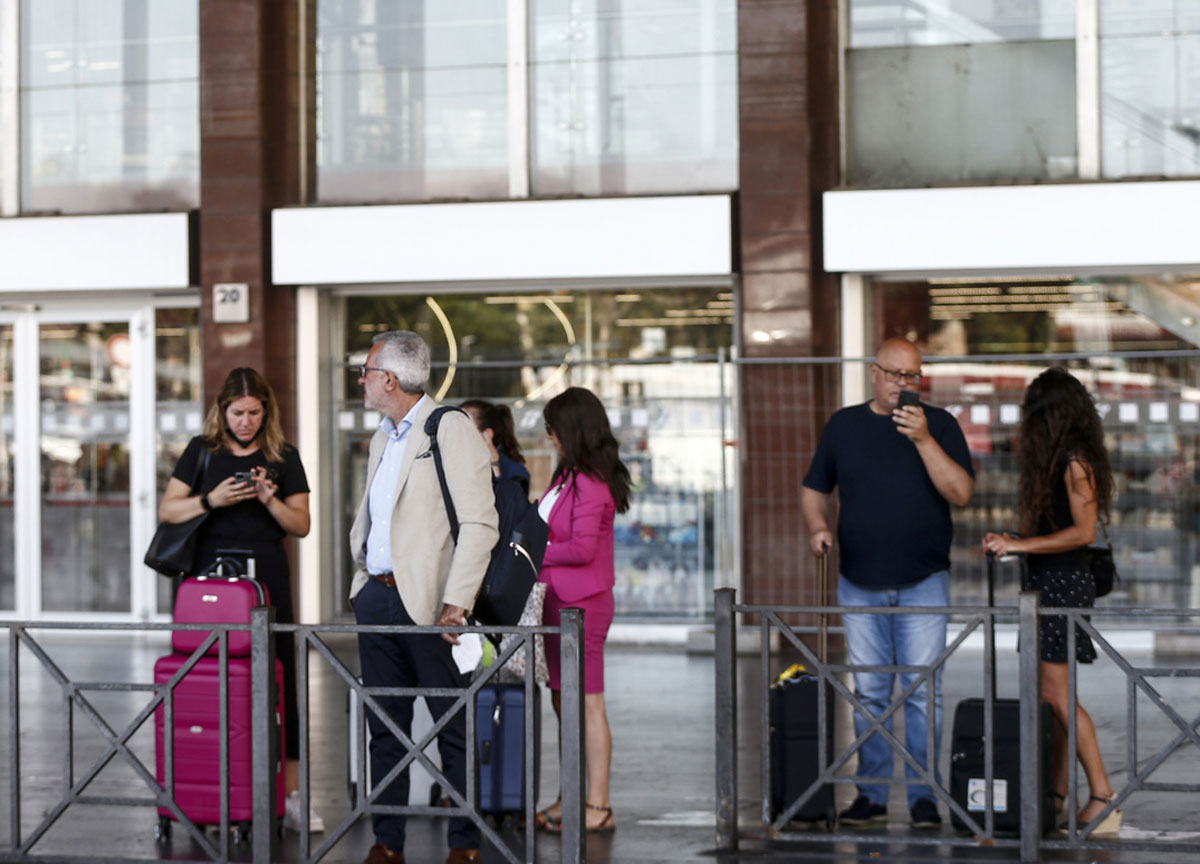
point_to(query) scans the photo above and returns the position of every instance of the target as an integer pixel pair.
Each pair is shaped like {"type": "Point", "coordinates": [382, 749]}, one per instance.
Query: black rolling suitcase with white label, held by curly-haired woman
{"type": "Point", "coordinates": [968, 764]}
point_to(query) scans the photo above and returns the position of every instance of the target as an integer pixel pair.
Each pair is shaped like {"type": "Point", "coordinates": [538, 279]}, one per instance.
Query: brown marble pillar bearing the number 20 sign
{"type": "Point", "coordinates": [253, 103]}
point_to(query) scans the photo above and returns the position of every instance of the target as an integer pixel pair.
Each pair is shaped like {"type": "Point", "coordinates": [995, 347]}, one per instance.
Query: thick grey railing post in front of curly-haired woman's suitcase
{"type": "Point", "coordinates": [1031, 728]}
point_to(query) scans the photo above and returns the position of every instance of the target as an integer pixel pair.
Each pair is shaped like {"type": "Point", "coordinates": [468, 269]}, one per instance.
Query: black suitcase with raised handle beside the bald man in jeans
{"type": "Point", "coordinates": [793, 707]}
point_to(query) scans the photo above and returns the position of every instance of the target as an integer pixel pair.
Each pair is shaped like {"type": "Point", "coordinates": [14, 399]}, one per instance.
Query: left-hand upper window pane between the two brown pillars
{"type": "Point", "coordinates": [413, 100]}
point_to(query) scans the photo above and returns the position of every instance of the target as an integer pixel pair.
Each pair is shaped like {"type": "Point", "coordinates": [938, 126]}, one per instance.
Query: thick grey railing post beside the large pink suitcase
{"type": "Point", "coordinates": [266, 746]}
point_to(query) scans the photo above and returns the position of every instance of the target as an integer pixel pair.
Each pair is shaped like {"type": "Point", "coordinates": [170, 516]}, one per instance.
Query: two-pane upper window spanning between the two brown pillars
{"type": "Point", "coordinates": [415, 100]}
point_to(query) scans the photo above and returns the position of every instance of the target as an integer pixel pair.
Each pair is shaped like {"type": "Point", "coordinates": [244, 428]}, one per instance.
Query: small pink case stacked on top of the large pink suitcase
{"type": "Point", "coordinates": [217, 599]}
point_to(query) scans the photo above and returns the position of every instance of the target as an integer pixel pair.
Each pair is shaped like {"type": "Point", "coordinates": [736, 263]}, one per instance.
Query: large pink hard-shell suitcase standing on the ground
{"type": "Point", "coordinates": [199, 741]}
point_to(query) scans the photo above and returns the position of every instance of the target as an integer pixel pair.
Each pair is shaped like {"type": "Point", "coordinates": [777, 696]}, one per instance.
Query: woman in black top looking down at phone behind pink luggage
{"type": "Point", "coordinates": [242, 435]}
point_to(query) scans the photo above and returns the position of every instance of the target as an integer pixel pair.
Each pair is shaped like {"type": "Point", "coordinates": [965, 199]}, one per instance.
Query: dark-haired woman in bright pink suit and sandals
{"type": "Point", "coordinates": [589, 489]}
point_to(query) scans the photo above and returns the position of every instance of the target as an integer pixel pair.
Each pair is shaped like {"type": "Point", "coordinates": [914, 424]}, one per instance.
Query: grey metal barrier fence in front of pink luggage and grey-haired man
{"type": "Point", "coordinates": [266, 746]}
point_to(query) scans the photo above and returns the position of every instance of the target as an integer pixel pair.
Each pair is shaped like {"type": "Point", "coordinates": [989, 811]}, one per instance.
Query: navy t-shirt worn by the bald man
{"type": "Point", "coordinates": [893, 526]}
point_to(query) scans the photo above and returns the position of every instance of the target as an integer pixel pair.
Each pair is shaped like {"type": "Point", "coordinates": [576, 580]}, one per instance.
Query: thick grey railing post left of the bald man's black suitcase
{"type": "Point", "coordinates": [725, 661]}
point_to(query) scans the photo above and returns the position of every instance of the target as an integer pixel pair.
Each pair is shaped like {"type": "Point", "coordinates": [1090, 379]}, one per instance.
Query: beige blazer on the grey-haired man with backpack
{"type": "Point", "coordinates": [430, 569]}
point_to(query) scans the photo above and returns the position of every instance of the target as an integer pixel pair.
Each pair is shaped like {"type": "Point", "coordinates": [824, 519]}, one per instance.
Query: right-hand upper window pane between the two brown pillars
{"type": "Point", "coordinates": [633, 99]}
